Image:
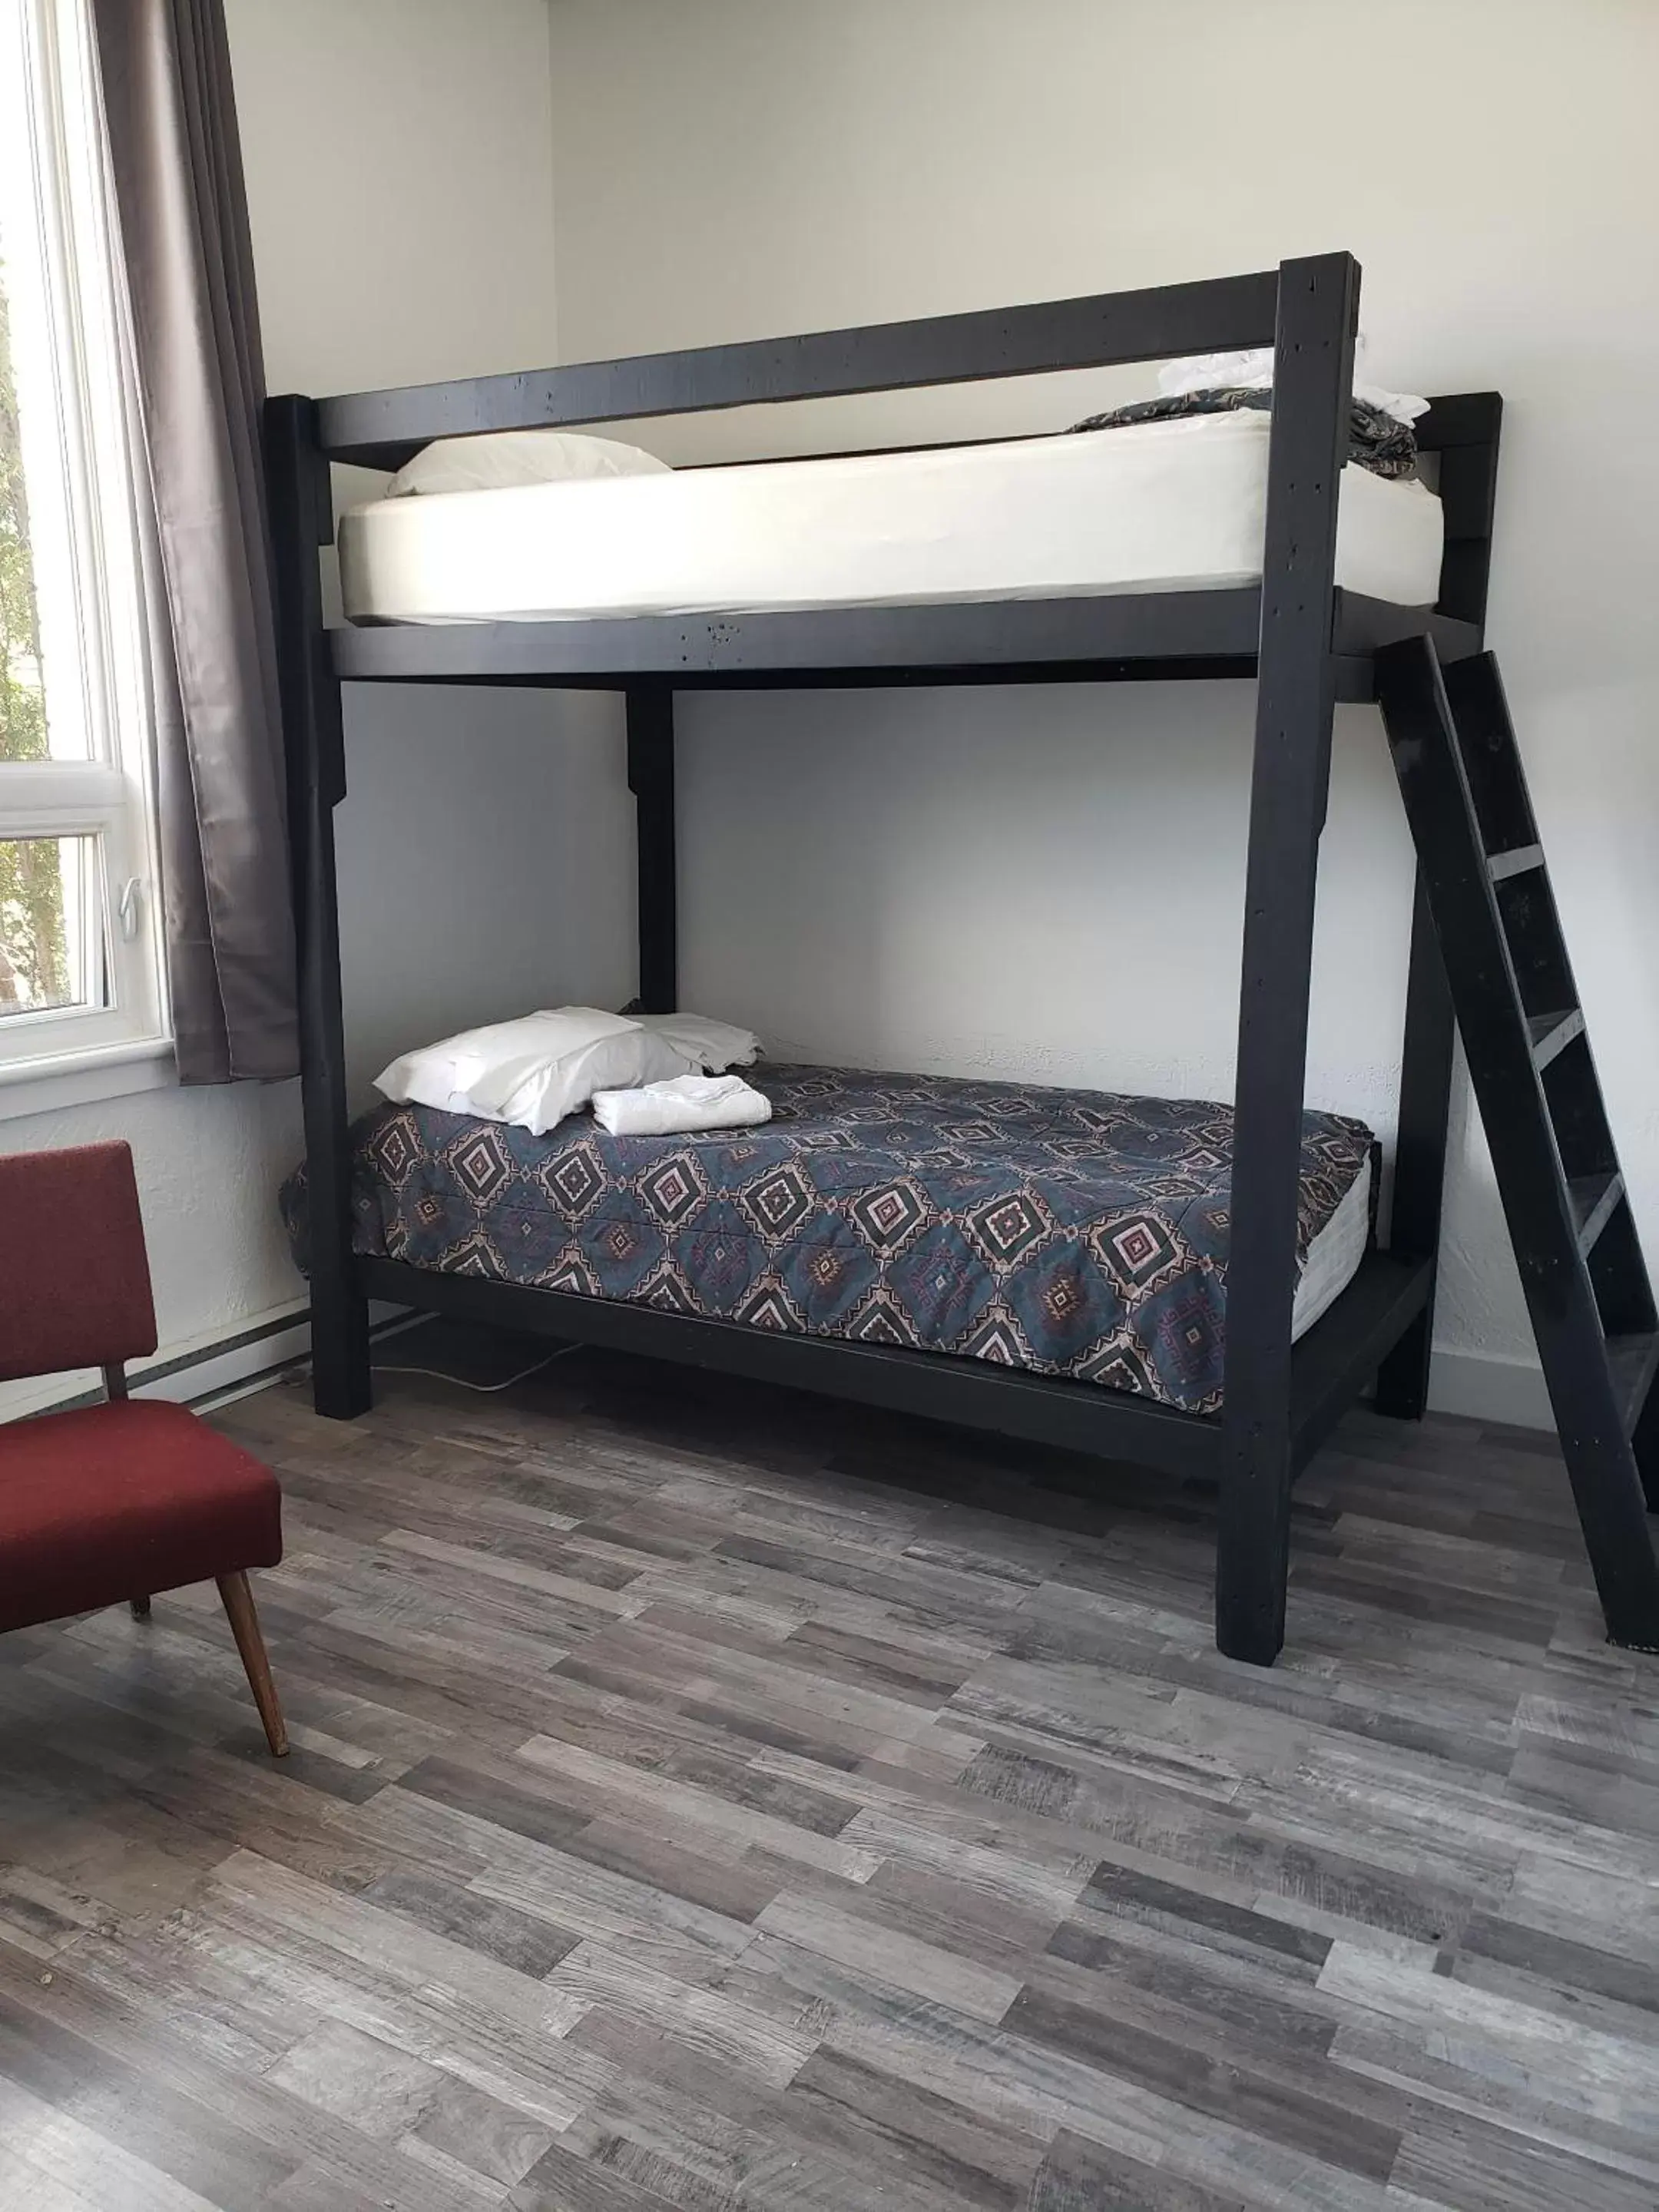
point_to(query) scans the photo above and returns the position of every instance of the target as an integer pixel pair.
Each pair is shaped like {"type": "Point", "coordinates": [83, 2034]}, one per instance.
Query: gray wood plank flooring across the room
{"type": "Point", "coordinates": [720, 1799]}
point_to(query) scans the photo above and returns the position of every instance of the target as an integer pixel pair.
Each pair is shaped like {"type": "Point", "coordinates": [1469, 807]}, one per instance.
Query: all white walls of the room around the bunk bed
{"type": "Point", "coordinates": [1008, 881]}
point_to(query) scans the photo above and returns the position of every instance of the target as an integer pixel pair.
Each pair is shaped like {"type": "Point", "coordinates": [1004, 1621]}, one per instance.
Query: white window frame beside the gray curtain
{"type": "Point", "coordinates": [83, 530]}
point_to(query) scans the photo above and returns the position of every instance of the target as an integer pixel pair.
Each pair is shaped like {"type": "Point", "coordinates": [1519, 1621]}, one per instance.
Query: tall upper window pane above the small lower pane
{"type": "Point", "coordinates": [34, 525]}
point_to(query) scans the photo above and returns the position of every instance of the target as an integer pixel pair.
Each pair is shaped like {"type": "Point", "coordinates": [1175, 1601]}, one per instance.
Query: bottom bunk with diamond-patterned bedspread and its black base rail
{"type": "Point", "coordinates": [1014, 1258]}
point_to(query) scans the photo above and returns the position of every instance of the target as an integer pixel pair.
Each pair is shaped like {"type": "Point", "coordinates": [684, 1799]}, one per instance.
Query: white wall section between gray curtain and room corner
{"type": "Point", "coordinates": [401, 196]}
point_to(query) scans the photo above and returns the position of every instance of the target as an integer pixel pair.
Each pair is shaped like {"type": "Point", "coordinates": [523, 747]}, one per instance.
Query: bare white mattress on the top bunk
{"type": "Point", "coordinates": [1142, 508]}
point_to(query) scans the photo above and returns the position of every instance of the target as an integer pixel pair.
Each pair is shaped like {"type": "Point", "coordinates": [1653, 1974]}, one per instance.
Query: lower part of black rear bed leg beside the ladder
{"type": "Point", "coordinates": [1419, 1156]}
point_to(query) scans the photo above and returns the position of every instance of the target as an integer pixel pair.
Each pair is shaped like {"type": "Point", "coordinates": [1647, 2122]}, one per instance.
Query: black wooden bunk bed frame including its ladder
{"type": "Point", "coordinates": [1308, 645]}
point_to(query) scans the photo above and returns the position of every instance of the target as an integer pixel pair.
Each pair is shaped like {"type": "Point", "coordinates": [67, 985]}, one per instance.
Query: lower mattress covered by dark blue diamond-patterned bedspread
{"type": "Point", "coordinates": [1072, 1233]}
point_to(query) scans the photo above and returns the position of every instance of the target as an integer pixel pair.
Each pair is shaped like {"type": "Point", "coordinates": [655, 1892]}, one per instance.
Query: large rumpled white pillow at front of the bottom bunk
{"type": "Point", "coordinates": [534, 1072]}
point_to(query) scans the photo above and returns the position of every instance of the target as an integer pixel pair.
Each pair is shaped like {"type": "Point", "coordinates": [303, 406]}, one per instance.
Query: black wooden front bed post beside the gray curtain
{"type": "Point", "coordinates": [302, 519]}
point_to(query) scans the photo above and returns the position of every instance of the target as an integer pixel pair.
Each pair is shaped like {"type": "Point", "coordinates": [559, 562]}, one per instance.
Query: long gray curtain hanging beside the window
{"type": "Point", "coordinates": [198, 388]}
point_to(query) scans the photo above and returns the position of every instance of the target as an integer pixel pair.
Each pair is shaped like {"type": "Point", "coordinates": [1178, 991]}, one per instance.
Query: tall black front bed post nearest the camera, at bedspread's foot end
{"type": "Point", "coordinates": [1288, 793]}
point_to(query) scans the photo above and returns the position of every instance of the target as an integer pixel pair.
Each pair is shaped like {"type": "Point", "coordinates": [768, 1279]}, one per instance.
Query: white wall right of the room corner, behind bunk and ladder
{"type": "Point", "coordinates": [1050, 881]}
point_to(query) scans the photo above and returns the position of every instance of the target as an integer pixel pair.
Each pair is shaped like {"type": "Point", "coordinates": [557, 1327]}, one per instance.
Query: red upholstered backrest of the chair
{"type": "Point", "coordinates": [74, 1273]}
